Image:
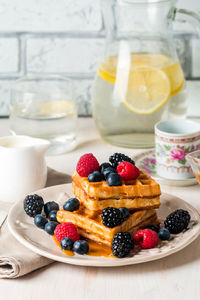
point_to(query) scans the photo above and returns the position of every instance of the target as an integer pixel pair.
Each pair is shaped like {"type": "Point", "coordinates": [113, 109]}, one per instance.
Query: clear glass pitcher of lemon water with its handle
{"type": "Point", "coordinates": [139, 81]}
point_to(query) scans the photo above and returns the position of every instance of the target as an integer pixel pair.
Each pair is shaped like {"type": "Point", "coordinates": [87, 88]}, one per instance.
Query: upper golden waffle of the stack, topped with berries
{"type": "Point", "coordinates": [142, 193]}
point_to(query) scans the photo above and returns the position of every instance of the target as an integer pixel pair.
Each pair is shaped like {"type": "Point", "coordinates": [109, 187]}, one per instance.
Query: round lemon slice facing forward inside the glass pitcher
{"type": "Point", "coordinates": [147, 89]}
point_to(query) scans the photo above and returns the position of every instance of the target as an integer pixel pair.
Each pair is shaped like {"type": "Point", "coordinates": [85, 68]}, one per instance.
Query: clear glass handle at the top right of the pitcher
{"type": "Point", "coordinates": [190, 16]}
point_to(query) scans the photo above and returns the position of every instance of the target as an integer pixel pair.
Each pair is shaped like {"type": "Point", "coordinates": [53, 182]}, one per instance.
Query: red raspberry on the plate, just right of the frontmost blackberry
{"type": "Point", "coordinates": [146, 238]}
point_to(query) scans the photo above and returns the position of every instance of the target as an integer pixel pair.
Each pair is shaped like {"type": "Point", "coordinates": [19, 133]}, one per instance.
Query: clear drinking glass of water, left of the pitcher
{"type": "Point", "coordinates": [44, 107]}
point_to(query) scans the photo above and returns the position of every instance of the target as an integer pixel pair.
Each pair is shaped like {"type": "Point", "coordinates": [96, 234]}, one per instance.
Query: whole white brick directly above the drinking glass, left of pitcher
{"type": "Point", "coordinates": [63, 55]}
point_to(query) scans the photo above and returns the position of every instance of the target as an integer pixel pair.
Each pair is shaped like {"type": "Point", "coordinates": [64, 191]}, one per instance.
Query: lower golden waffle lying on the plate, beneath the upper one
{"type": "Point", "coordinates": [91, 227]}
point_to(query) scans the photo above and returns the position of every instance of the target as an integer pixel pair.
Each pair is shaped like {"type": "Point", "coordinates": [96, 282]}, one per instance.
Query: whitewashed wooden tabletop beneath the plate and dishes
{"type": "Point", "coordinates": [174, 277]}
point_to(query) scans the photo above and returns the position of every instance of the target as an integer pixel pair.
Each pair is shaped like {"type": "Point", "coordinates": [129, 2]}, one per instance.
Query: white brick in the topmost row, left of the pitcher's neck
{"type": "Point", "coordinates": [49, 15]}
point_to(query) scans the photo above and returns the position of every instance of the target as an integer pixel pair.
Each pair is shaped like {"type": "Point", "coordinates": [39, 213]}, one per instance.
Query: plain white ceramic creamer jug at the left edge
{"type": "Point", "coordinates": [22, 166]}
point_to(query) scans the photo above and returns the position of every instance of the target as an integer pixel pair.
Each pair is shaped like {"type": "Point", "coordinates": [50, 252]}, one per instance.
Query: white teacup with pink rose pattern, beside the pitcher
{"type": "Point", "coordinates": [174, 139]}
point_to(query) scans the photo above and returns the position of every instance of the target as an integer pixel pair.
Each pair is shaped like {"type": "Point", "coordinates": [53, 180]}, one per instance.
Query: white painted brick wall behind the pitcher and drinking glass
{"type": "Point", "coordinates": [60, 36]}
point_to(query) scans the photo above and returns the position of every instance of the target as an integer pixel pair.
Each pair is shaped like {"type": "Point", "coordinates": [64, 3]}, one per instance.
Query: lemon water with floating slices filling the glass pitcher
{"type": "Point", "coordinates": [131, 96]}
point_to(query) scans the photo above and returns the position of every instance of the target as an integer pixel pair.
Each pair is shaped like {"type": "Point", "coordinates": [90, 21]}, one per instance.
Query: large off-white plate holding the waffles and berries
{"type": "Point", "coordinates": [37, 240]}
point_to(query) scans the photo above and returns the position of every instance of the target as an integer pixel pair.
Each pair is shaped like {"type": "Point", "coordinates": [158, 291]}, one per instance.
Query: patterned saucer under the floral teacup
{"type": "Point", "coordinates": [147, 161]}
